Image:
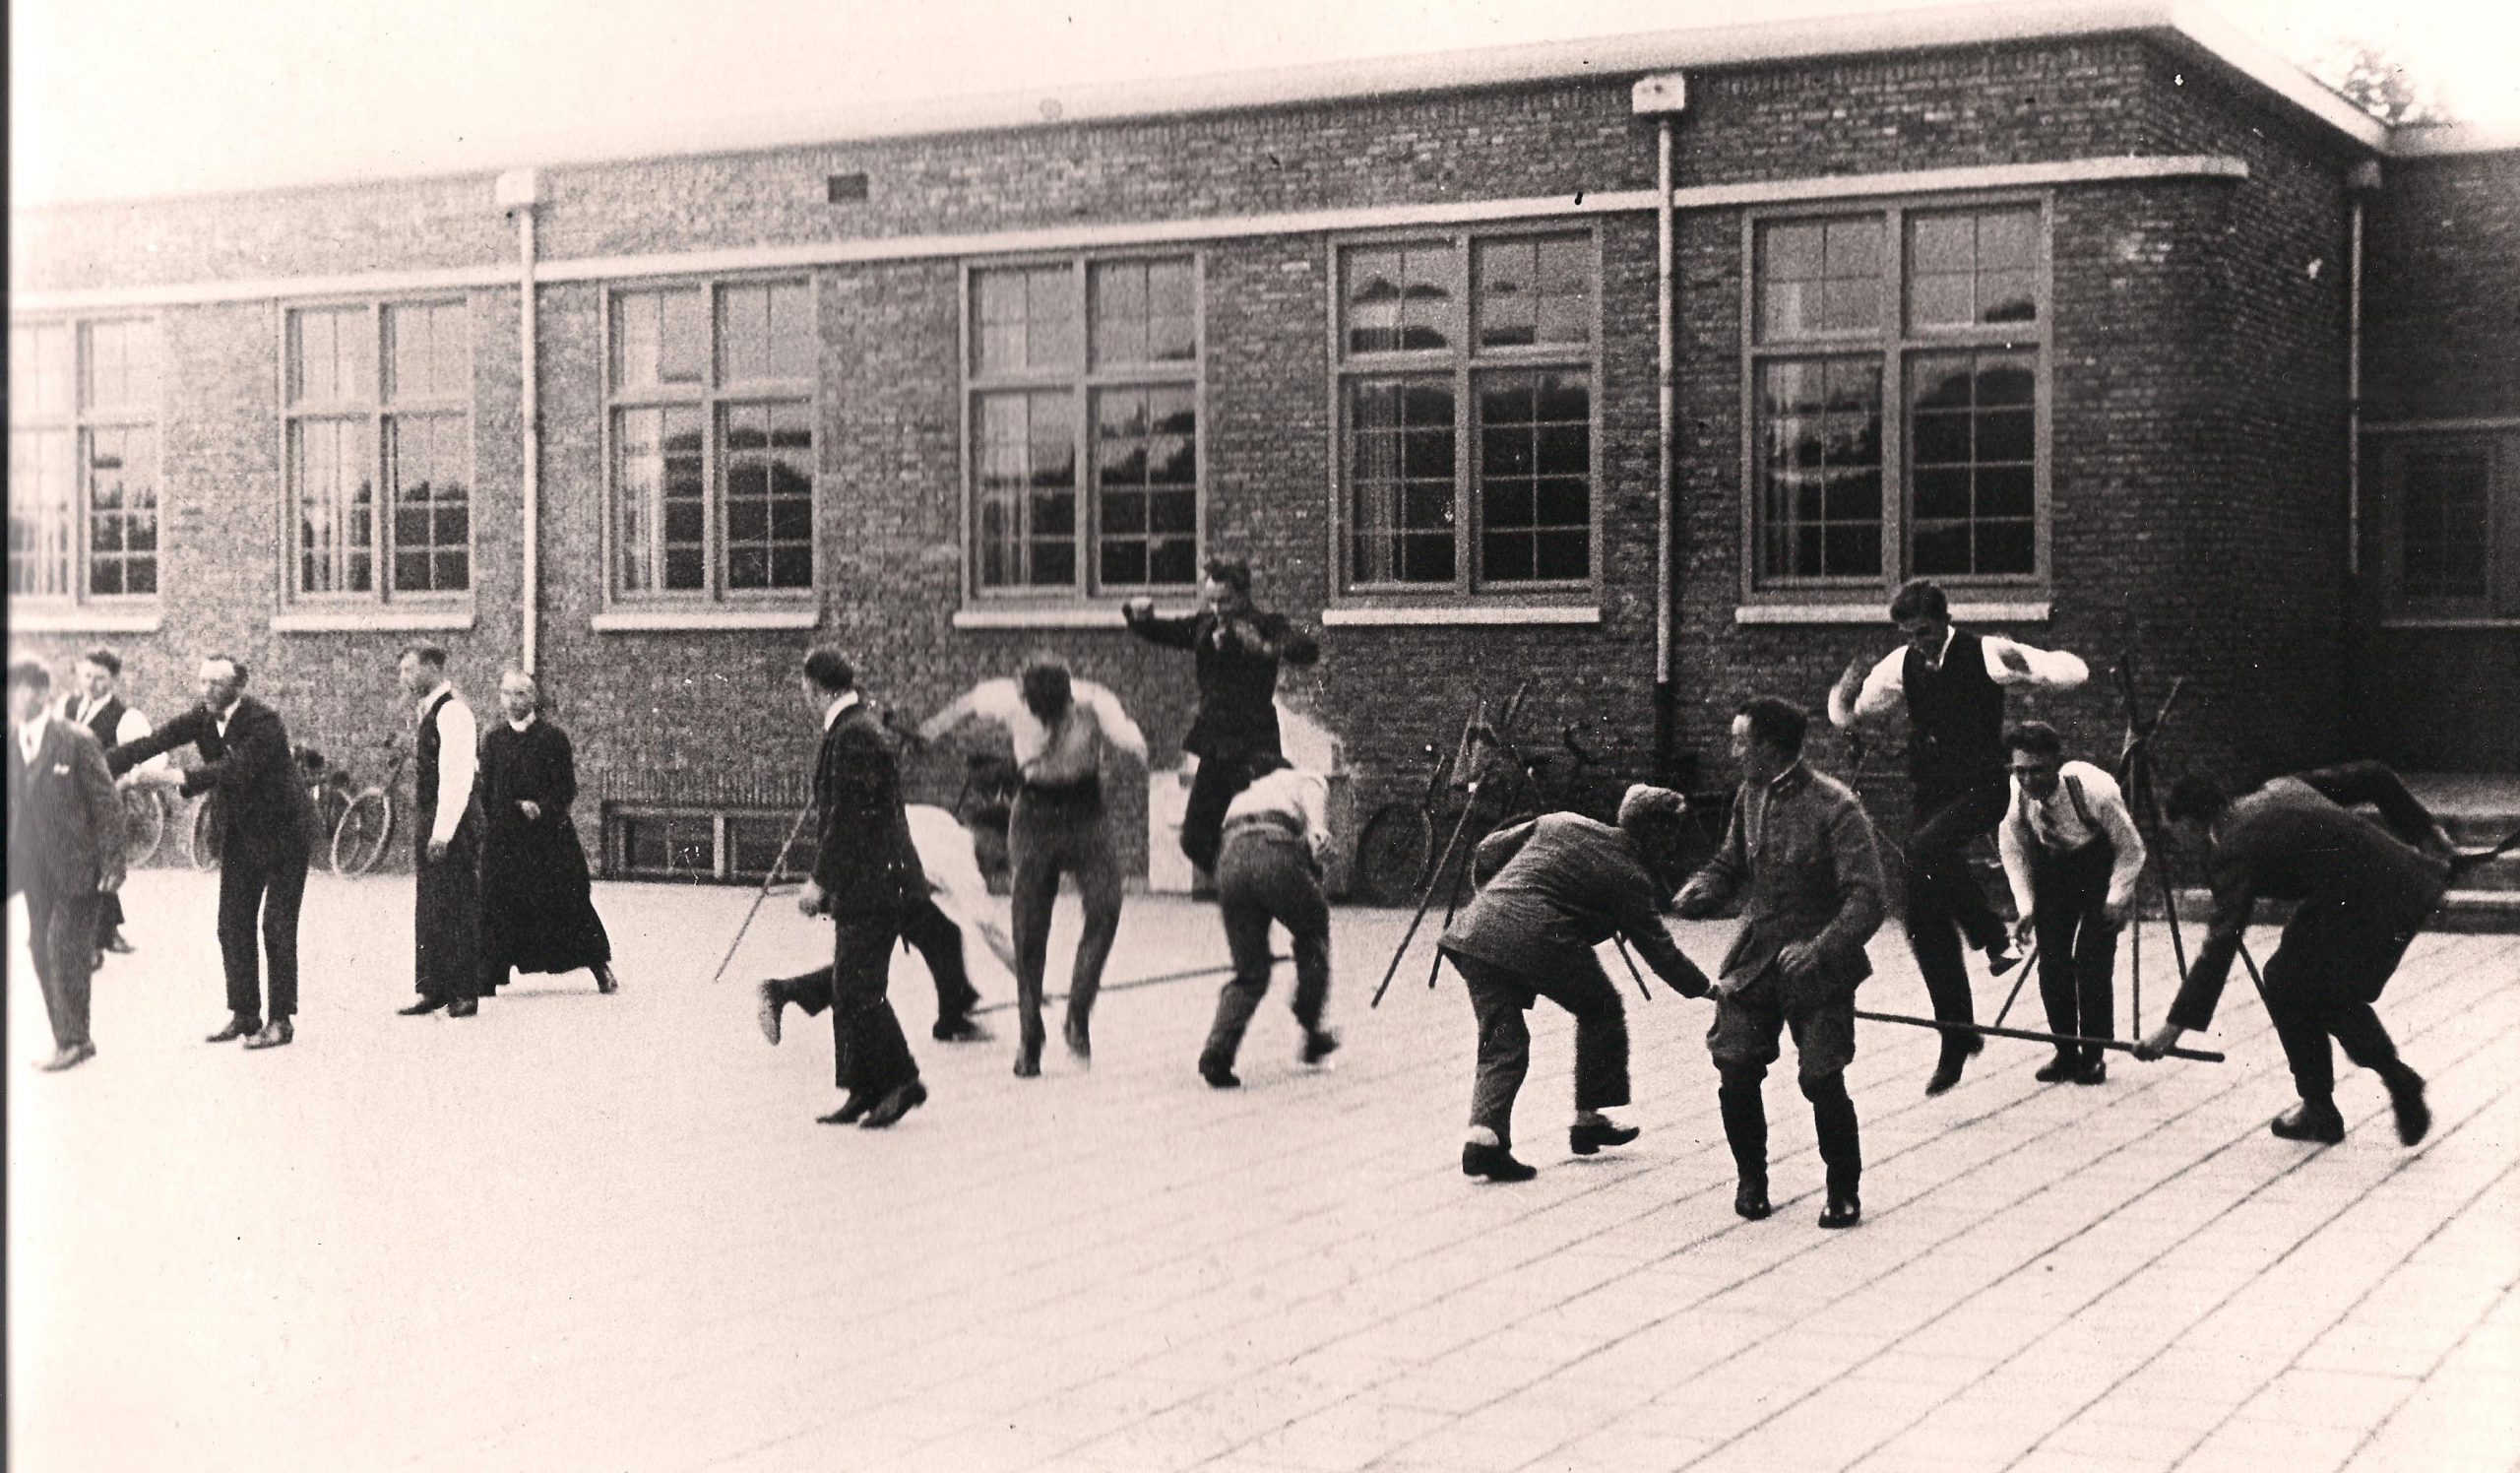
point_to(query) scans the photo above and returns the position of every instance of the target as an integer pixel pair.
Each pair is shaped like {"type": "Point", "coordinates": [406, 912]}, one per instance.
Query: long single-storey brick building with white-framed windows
{"type": "Point", "coordinates": [2131, 334]}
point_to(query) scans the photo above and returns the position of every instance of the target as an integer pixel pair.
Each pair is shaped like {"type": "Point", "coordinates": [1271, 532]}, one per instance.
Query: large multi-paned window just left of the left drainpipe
{"type": "Point", "coordinates": [379, 445]}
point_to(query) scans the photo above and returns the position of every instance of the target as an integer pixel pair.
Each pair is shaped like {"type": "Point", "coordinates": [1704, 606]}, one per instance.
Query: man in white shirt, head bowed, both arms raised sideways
{"type": "Point", "coordinates": [1062, 730]}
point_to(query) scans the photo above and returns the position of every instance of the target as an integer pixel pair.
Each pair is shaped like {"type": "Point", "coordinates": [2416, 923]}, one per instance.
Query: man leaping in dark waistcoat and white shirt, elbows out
{"type": "Point", "coordinates": [1952, 685]}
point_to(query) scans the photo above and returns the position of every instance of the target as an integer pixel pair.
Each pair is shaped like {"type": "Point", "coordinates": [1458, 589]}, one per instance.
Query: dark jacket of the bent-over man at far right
{"type": "Point", "coordinates": [2297, 841]}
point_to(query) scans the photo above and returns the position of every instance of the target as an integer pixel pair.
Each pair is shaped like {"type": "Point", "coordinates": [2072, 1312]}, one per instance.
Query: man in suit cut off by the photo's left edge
{"type": "Point", "coordinates": [64, 851]}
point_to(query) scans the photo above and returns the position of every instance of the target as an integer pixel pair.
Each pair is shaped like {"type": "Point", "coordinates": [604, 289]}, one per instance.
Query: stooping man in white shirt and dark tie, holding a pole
{"type": "Point", "coordinates": [2073, 856]}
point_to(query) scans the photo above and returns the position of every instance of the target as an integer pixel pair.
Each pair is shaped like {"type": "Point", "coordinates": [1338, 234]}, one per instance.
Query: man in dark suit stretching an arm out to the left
{"type": "Point", "coordinates": [263, 818]}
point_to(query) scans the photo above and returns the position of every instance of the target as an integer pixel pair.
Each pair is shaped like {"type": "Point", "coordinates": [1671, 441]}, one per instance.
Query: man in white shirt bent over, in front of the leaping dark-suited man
{"type": "Point", "coordinates": [1269, 869]}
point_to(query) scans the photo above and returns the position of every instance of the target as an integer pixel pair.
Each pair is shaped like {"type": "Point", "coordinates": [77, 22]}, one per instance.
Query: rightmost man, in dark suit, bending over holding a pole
{"type": "Point", "coordinates": [2365, 892]}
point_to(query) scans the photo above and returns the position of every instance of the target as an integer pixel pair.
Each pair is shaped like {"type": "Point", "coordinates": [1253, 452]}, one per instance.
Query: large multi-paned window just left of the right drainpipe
{"type": "Point", "coordinates": [1468, 415]}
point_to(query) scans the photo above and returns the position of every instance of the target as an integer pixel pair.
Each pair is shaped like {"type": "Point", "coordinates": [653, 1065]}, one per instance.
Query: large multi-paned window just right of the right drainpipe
{"type": "Point", "coordinates": [1896, 382]}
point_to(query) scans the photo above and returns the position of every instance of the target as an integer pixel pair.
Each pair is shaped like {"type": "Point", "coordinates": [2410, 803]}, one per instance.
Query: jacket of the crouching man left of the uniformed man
{"type": "Point", "coordinates": [1564, 884]}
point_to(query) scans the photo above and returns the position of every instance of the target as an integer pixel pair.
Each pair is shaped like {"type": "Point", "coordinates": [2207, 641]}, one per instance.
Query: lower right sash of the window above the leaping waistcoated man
{"type": "Point", "coordinates": [1972, 460]}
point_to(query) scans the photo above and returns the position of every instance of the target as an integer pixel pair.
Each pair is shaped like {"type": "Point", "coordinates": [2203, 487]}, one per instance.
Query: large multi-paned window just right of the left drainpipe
{"type": "Point", "coordinates": [712, 397]}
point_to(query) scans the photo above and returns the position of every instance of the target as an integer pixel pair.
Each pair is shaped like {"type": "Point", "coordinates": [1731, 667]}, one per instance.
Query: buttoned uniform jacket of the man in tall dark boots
{"type": "Point", "coordinates": [1803, 846]}
